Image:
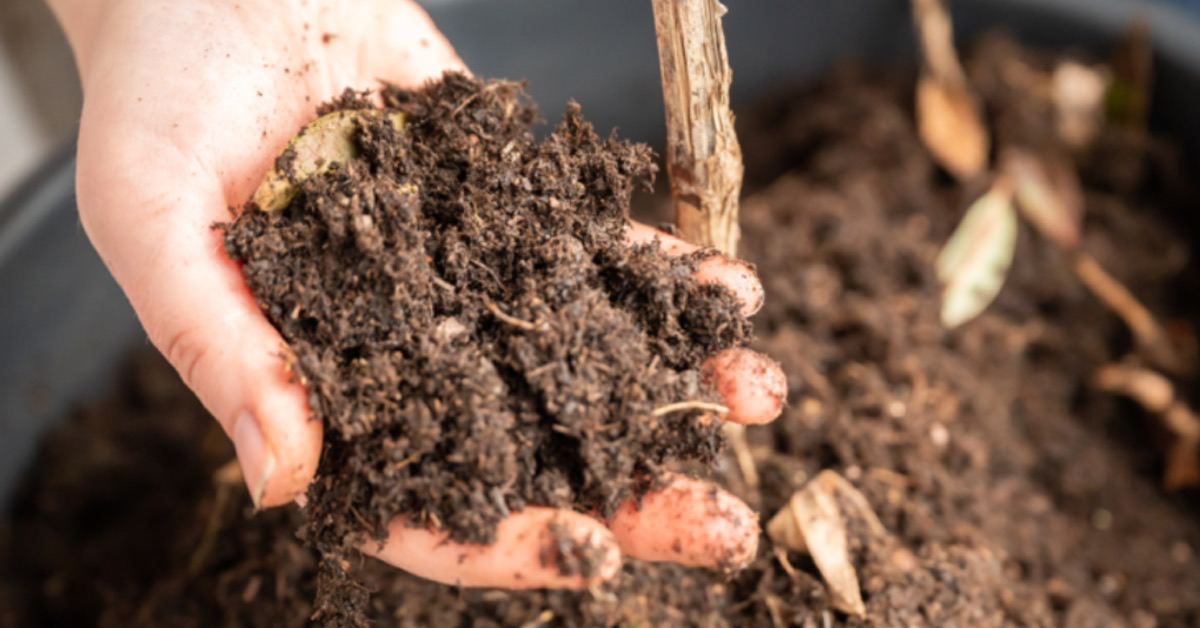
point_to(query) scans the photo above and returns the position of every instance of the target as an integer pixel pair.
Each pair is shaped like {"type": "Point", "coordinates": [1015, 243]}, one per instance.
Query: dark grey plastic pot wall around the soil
{"type": "Point", "coordinates": [64, 324]}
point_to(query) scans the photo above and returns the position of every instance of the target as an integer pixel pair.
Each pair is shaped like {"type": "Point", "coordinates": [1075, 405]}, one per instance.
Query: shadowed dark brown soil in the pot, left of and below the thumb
{"type": "Point", "coordinates": [125, 523]}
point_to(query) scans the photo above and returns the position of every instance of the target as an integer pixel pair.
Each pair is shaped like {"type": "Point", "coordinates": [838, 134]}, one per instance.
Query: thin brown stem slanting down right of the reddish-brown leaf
{"type": "Point", "coordinates": [1153, 340]}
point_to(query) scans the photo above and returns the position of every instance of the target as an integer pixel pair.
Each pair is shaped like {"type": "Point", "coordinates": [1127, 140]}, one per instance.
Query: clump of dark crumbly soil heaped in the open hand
{"type": "Point", "coordinates": [476, 332]}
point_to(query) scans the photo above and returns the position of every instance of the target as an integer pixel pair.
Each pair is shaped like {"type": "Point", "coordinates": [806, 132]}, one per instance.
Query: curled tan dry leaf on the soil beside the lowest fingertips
{"type": "Point", "coordinates": [813, 523]}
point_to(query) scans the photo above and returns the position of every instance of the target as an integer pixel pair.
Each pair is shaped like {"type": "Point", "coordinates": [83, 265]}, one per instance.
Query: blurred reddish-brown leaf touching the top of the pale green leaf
{"type": "Point", "coordinates": [1048, 195]}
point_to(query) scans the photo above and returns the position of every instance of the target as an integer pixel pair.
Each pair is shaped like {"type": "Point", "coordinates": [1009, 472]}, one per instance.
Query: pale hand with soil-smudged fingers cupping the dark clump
{"type": "Point", "coordinates": [187, 105]}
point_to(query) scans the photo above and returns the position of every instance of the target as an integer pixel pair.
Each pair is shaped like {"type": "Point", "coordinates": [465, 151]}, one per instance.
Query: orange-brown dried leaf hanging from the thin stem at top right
{"type": "Point", "coordinates": [952, 128]}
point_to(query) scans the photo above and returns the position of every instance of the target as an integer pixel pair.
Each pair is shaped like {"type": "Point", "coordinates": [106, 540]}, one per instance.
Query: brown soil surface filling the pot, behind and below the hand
{"type": "Point", "coordinates": [1011, 491]}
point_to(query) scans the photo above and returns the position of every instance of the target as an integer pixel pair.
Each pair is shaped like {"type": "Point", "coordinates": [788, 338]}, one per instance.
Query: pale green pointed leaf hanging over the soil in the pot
{"type": "Point", "coordinates": [975, 262]}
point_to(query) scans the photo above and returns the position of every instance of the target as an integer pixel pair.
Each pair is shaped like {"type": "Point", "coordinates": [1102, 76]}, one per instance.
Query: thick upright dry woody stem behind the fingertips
{"type": "Point", "coordinates": [704, 157]}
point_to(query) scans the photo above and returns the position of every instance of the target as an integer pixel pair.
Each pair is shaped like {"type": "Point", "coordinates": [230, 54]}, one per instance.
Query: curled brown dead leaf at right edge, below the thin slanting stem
{"type": "Point", "coordinates": [1157, 396]}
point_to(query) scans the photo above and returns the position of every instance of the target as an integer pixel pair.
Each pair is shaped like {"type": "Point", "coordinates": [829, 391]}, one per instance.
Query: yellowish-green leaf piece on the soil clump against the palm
{"type": "Point", "coordinates": [319, 147]}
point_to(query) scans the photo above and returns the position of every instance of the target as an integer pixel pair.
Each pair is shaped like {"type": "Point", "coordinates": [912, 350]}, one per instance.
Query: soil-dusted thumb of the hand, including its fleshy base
{"type": "Point", "coordinates": [193, 301]}
